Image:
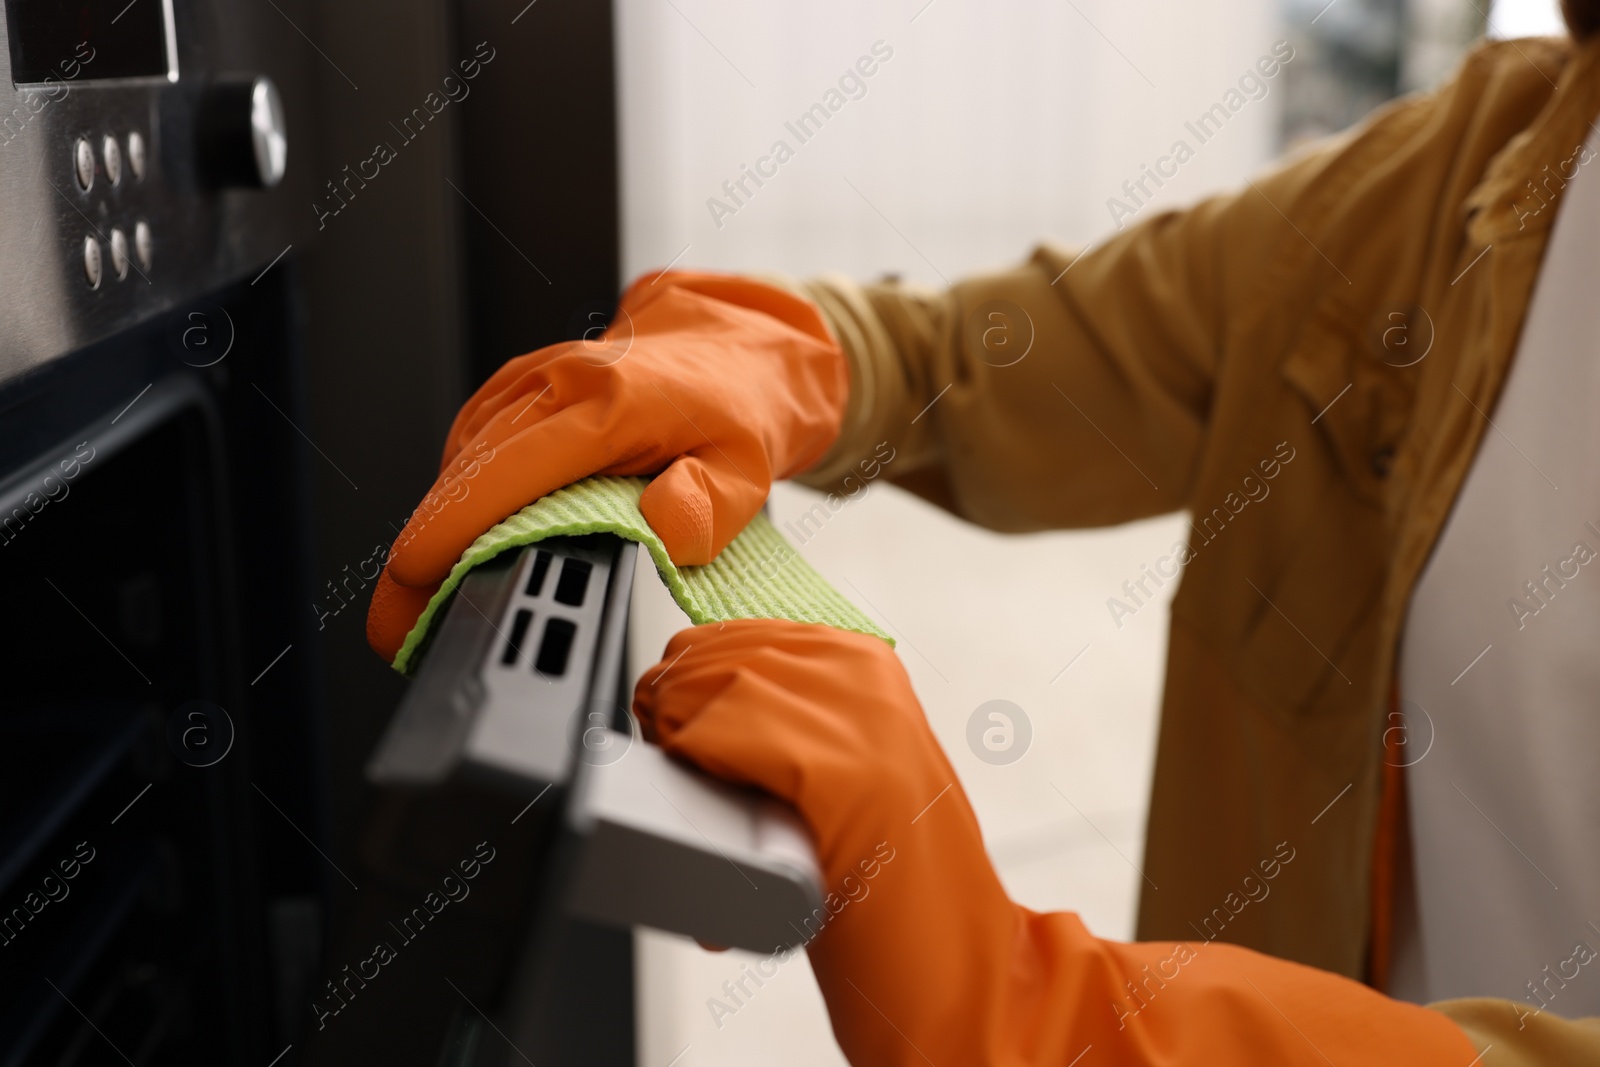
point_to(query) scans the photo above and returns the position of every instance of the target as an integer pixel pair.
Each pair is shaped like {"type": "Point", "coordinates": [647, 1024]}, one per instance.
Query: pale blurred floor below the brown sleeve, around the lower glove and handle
{"type": "Point", "coordinates": [978, 617]}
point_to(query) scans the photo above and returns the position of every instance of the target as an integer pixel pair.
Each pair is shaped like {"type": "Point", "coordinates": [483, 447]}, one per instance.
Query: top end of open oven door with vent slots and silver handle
{"type": "Point", "coordinates": [650, 842]}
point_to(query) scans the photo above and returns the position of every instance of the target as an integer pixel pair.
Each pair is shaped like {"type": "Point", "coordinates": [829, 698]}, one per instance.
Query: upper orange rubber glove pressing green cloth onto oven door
{"type": "Point", "coordinates": [716, 383]}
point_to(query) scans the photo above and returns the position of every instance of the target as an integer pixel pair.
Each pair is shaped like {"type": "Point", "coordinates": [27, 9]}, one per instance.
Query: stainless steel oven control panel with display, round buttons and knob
{"type": "Point", "coordinates": [145, 153]}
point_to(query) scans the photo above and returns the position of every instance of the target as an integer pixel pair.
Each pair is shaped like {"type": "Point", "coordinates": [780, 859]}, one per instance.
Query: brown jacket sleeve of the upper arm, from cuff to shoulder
{"type": "Point", "coordinates": [1078, 388]}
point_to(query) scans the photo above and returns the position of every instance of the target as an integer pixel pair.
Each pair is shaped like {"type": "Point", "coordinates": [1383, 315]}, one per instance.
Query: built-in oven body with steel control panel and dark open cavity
{"type": "Point", "coordinates": [162, 890]}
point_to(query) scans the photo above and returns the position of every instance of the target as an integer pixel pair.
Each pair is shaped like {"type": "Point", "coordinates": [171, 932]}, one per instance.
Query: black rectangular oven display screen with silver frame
{"type": "Point", "coordinates": [63, 41]}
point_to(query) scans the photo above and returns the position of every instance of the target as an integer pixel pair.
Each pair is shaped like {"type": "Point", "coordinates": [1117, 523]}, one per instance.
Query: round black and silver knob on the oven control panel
{"type": "Point", "coordinates": [241, 134]}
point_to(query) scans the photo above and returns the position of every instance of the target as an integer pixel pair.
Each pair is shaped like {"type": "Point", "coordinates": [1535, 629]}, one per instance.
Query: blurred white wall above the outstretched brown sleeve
{"type": "Point", "coordinates": [991, 127]}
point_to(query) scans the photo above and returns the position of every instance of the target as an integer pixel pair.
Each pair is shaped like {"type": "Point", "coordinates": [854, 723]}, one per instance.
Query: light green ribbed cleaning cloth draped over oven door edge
{"type": "Point", "coordinates": [759, 577]}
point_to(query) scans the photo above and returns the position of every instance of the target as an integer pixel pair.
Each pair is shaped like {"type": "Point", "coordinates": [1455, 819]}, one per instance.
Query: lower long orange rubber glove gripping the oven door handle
{"type": "Point", "coordinates": [924, 959]}
